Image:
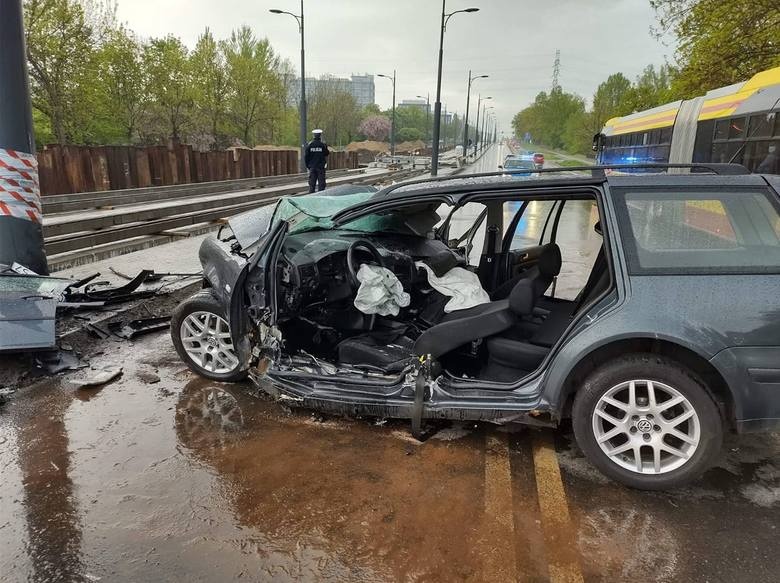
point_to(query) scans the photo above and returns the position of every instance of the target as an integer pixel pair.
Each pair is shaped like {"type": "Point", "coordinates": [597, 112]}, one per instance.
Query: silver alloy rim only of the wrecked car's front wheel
{"type": "Point", "coordinates": [206, 339]}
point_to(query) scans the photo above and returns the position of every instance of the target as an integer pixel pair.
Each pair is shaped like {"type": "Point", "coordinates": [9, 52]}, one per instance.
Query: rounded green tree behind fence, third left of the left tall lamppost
{"type": "Point", "coordinates": [170, 83]}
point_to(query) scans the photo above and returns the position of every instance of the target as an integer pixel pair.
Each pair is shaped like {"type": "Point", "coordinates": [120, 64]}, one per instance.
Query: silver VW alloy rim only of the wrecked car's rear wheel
{"type": "Point", "coordinates": [647, 427]}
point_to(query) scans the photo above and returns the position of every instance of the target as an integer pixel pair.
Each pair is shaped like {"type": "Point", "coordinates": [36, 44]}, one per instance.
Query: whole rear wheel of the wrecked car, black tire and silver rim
{"type": "Point", "coordinates": [677, 439]}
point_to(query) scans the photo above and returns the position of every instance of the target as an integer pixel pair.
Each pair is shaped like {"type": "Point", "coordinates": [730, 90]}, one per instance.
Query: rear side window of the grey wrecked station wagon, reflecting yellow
{"type": "Point", "coordinates": [700, 232]}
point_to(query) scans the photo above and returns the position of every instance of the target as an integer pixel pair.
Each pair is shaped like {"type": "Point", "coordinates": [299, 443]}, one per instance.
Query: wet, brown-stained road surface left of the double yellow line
{"type": "Point", "coordinates": [138, 481]}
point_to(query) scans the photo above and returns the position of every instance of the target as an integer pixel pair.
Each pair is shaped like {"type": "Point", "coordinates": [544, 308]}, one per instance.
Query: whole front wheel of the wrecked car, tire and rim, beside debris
{"type": "Point", "coordinates": [198, 328]}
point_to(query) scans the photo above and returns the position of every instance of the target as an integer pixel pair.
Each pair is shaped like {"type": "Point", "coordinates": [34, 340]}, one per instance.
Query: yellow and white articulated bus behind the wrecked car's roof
{"type": "Point", "coordinates": [739, 123]}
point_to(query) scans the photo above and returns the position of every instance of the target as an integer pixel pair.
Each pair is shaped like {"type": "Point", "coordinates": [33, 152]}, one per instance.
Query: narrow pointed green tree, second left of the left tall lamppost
{"type": "Point", "coordinates": [211, 89]}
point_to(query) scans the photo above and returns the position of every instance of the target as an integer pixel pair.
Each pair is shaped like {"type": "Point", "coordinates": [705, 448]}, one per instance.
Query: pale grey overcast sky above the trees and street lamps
{"type": "Point", "coordinates": [513, 41]}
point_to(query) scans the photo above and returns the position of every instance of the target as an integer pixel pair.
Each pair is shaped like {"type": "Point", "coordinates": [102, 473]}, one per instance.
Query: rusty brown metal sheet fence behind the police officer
{"type": "Point", "coordinates": [71, 169]}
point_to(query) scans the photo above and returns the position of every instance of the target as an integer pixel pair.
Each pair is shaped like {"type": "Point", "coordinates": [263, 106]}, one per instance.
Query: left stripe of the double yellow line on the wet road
{"type": "Point", "coordinates": [500, 563]}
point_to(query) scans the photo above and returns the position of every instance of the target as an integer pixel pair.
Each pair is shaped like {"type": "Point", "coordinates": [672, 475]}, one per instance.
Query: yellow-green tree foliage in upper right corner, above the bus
{"type": "Point", "coordinates": [720, 42]}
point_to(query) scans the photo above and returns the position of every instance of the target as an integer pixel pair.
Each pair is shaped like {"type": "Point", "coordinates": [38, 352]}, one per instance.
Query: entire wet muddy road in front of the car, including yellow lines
{"type": "Point", "coordinates": [161, 475]}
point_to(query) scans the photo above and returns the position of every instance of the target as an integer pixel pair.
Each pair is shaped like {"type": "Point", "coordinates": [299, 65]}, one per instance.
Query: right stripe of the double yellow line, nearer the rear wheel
{"type": "Point", "coordinates": [562, 554]}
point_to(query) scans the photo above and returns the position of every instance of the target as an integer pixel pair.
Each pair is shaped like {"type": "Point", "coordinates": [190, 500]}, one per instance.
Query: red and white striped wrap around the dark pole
{"type": "Point", "coordinates": [20, 191]}
